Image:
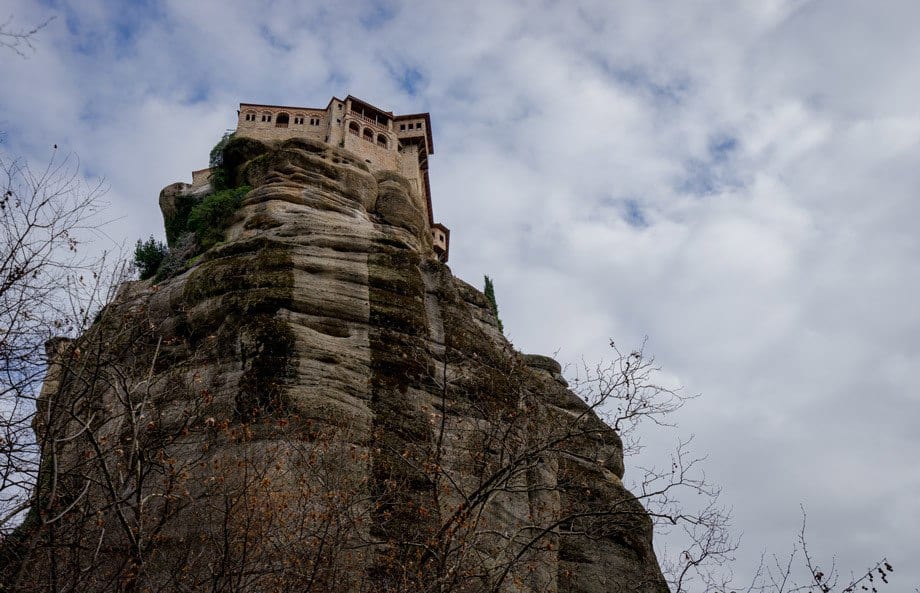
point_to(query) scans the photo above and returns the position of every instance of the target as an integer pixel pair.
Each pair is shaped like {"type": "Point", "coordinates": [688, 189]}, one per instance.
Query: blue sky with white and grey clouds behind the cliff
{"type": "Point", "coordinates": [735, 180]}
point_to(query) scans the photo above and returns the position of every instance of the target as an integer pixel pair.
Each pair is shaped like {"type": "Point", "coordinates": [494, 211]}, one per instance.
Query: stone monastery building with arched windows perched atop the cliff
{"type": "Point", "coordinates": [386, 142]}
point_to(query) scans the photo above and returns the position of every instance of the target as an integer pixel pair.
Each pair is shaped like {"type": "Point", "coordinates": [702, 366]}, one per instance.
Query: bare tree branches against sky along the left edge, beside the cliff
{"type": "Point", "coordinates": [47, 288]}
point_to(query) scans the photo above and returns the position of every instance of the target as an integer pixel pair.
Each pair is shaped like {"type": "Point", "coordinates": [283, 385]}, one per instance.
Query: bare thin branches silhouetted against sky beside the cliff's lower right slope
{"type": "Point", "coordinates": [633, 401]}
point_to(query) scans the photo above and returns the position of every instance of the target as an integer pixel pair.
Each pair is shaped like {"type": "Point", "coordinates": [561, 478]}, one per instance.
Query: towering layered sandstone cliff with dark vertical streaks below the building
{"type": "Point", "coordinates": [317, 405]}
